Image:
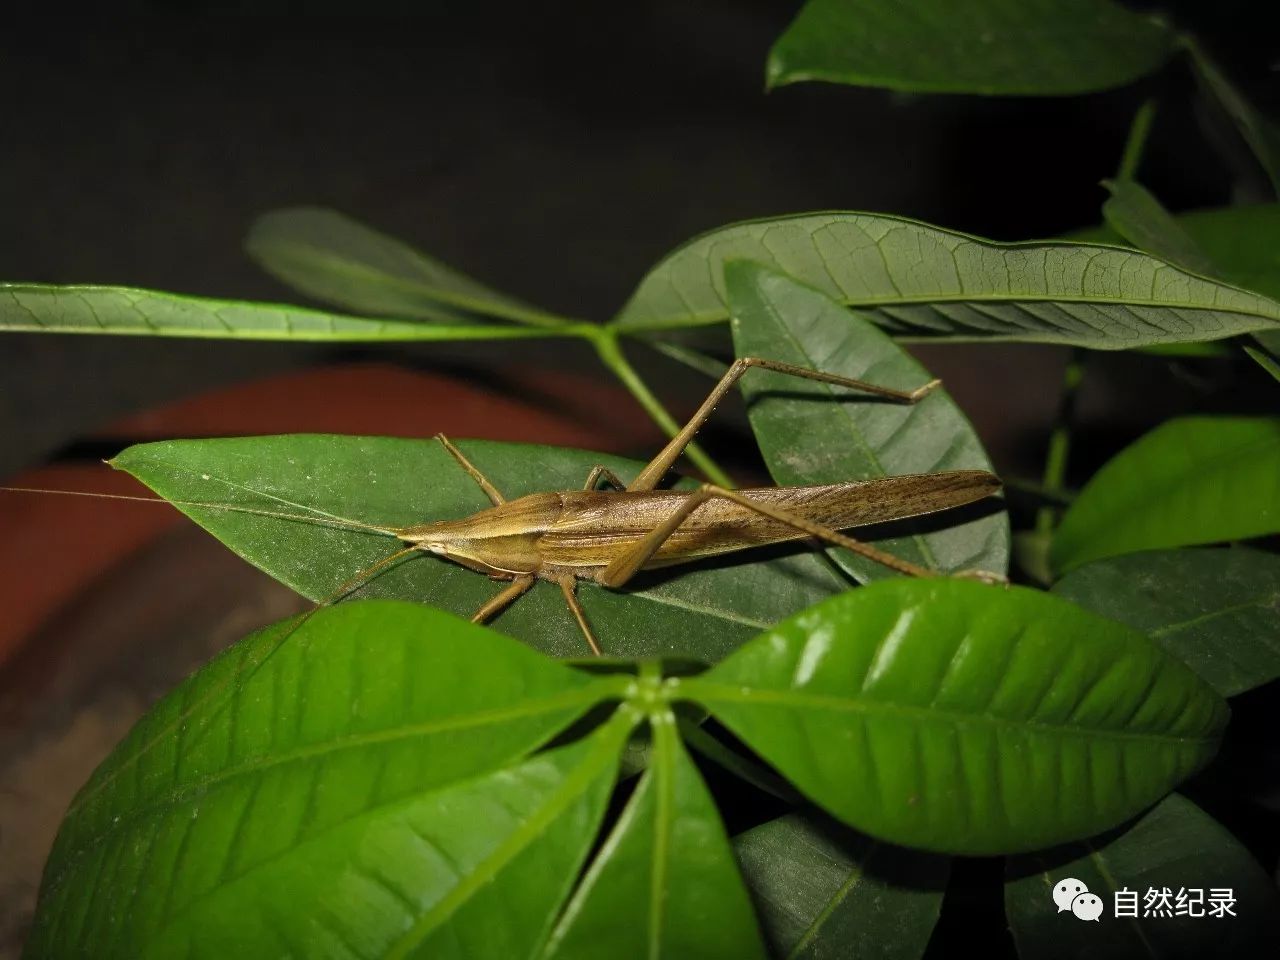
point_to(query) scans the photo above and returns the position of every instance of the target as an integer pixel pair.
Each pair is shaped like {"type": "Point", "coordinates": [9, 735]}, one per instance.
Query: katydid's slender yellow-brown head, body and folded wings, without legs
{"type": "Point", "coordinates": [579, 533]}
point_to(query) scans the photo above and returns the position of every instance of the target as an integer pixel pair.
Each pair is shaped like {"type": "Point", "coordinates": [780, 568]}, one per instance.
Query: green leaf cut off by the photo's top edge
{"type": "Point", "coordinates": [990, 47]}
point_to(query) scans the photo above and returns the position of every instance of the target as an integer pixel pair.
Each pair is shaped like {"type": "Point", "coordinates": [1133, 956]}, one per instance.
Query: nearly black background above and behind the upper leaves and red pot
{"type": "Point", "coordinates": [551, 150]}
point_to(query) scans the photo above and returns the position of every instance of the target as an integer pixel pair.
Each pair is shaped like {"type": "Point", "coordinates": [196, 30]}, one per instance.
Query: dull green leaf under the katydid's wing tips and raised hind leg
{"type": "Point", "coordinates": [813, 433]}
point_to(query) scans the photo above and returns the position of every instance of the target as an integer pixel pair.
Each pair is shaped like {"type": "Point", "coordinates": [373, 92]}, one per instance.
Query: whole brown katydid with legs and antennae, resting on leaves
{"type": "Point", "coordinates": [610, 536]}
